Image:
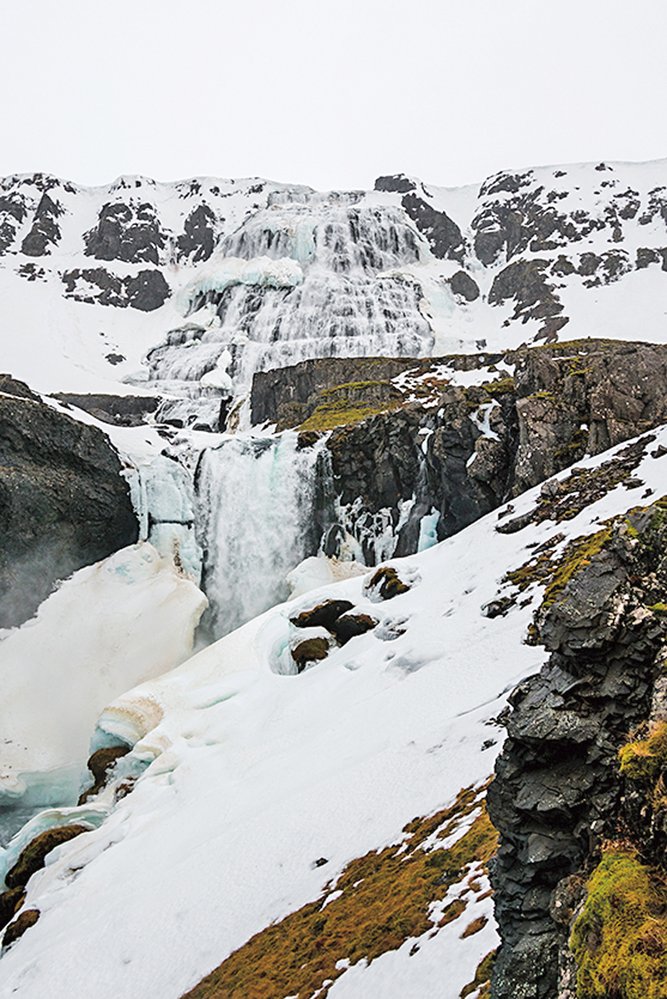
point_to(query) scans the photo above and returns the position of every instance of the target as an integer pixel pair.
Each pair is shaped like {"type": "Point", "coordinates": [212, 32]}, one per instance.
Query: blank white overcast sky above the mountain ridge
{"type": "Point", "coordinates": [330, 93]}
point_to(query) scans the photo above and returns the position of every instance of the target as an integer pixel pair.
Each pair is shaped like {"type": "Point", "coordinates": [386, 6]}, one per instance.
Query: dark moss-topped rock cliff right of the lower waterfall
{"type": "Point", "coordinates": [461, 451]}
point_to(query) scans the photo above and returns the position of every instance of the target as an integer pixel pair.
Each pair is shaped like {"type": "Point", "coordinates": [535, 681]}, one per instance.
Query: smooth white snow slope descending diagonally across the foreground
{"type": "Point", "coordinates": [262, 785]}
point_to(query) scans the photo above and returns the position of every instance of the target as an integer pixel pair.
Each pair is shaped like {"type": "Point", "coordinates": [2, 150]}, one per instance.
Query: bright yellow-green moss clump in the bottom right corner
{"type": "Point", "coordinates": [619, 940]}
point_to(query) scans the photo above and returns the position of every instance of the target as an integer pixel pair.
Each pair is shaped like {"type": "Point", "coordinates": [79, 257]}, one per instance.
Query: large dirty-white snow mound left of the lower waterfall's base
{"type": "Point", "coordinates": [127, 618]}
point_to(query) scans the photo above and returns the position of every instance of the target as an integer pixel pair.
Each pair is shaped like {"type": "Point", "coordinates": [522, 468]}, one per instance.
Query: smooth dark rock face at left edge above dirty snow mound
{"type": "Point", "coordinates": [63, 501]}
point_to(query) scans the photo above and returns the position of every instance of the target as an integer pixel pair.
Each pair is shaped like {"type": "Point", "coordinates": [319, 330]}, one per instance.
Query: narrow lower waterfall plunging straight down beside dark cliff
{"type": "Point", "coordinates": [257, 505]}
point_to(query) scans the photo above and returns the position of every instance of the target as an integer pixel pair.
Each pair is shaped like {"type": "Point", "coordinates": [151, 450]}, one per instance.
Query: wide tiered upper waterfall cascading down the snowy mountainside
{"type": "Point", "coordinates": [323, 276]}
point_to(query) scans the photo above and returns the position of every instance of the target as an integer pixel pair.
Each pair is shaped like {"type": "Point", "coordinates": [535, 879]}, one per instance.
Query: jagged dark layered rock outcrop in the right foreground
{"type": "Point", "coordinates": [558, 791]}
